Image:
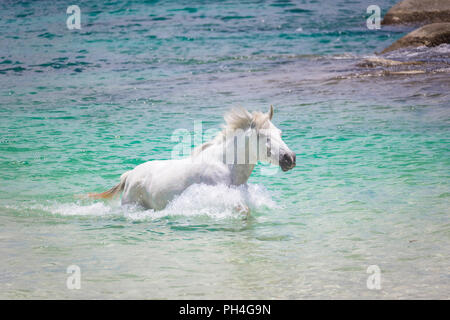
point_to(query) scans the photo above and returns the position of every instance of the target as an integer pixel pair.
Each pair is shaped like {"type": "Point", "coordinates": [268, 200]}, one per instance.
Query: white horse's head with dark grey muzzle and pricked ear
{"type": "Point", "coordinates": [277, 152]}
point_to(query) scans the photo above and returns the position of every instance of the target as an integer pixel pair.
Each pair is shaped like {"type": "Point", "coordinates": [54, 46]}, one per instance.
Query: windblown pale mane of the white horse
{"type": "Point", "coordinates": [236, 119]}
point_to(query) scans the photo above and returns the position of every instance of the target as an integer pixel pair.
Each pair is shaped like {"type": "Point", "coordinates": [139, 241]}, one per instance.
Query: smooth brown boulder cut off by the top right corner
{"type": "Point", "coordinates": [418, 12]}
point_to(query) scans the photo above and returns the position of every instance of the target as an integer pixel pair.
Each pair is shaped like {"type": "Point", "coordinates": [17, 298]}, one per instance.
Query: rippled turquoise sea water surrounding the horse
{"type": "Point", "coordinates": [80, 107]}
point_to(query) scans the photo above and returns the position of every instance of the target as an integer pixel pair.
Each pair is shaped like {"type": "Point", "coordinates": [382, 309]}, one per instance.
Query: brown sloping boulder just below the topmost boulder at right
{"type": "Point", "coordinates": [430, 35]}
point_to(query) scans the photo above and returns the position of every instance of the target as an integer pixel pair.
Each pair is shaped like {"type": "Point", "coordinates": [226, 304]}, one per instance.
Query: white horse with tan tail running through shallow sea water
{"type": "Point", "coordinates": [223, 160]}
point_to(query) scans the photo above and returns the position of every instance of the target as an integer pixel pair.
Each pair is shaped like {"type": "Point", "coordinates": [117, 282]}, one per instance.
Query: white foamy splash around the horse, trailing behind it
{"type": "Point", "coordinates": [217, 202]}
